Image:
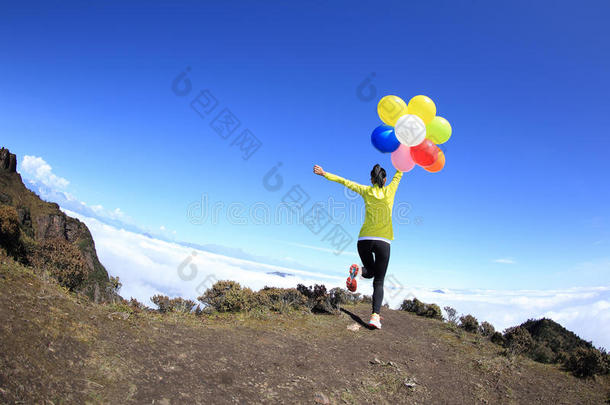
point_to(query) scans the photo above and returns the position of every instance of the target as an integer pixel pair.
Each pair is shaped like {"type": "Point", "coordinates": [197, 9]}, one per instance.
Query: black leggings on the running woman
{"type": "Point", "coordinates": [375, 266]}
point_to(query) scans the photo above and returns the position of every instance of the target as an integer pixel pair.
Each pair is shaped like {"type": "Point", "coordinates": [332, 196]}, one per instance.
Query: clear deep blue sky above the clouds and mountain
{"type": "Point", "coordinates": [523, 201]}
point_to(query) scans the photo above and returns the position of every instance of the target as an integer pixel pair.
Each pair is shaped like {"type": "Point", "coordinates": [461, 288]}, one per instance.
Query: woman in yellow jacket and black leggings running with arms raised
{"type": "Point", "coordinates": [376, 233]}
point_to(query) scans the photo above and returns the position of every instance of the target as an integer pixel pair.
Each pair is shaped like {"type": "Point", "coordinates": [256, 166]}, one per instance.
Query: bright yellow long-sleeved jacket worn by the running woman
{"type": "Point", "coordinates": [378, 202]}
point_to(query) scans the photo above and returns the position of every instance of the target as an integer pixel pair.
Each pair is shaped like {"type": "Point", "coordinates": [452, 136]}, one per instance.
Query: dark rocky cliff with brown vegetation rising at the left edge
{"type": "Point", "coordinates": [37, 233]}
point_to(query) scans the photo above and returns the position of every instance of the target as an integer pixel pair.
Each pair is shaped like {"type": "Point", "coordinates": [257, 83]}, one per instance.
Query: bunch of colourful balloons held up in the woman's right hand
{"type": "Point", "coordinates": [412, 133]}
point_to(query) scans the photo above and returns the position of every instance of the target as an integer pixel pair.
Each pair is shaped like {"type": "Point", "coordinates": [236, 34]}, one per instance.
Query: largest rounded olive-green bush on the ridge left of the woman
{"type": "Point", "coordinates": [228, 296]}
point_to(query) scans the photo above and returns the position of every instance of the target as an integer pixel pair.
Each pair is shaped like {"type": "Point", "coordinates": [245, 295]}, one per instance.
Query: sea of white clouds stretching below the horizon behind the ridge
{"type": "Point", "coordinates": [148, 266]}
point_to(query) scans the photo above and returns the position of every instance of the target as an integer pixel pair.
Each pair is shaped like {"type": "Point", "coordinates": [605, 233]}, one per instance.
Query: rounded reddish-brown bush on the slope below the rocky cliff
{"type": "Point", "coordinates": [62, 260]}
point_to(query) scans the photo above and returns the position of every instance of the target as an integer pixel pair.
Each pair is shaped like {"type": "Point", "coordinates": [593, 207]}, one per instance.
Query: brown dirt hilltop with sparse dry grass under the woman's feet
{"type": "Point", "coordinates": [58, 346]}
